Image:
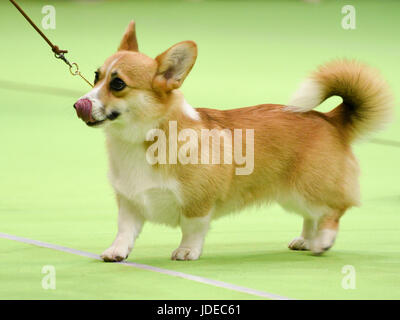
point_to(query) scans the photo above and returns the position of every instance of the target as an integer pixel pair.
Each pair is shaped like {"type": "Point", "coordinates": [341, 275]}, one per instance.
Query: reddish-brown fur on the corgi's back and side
{"type": "Point", "coordinates": [294, 152]}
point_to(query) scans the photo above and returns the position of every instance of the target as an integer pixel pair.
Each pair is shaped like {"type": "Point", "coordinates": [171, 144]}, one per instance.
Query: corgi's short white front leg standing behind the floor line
{"type": "Point", "coordinates": [194, 231]}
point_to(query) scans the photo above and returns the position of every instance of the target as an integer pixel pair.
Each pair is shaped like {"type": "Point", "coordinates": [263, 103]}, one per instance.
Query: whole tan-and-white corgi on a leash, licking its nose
{"type": "Point", "coordinates": [300, 158]}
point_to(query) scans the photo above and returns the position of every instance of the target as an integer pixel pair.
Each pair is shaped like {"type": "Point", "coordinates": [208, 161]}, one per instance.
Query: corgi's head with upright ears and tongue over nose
{"type": "Point", "coordinates": [131, 86]}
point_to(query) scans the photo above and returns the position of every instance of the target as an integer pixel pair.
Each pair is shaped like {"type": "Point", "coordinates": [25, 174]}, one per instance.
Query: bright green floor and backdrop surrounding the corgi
{"type": "Point", "coordinates": [53, 184]}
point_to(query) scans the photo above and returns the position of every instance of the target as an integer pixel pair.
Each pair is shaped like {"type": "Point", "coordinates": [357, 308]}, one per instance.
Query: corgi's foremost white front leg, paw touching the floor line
{"type": "Point", "coordinates": [130, 224]}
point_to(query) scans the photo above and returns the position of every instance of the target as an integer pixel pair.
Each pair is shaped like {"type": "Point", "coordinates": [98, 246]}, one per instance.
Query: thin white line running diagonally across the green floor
{"type": "Point", "coordinates": [212, 282]}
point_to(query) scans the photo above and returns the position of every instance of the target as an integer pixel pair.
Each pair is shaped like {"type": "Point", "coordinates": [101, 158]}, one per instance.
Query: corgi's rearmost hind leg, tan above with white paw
{"type": "Point", "coordinates": [327, 229]}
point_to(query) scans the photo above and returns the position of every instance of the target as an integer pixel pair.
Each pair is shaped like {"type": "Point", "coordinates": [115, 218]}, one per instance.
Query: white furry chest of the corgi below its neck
{"type": "Point", "coordinates": [133, 177]}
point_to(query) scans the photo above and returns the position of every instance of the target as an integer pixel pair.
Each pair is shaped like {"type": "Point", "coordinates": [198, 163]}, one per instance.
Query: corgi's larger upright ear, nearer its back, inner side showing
{"type": "Point", "coordinates": [174, 65]}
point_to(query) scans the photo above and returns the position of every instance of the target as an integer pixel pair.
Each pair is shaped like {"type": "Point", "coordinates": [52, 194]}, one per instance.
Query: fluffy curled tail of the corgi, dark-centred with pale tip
{"type": "Point", "coordinates": [367, 100]}
